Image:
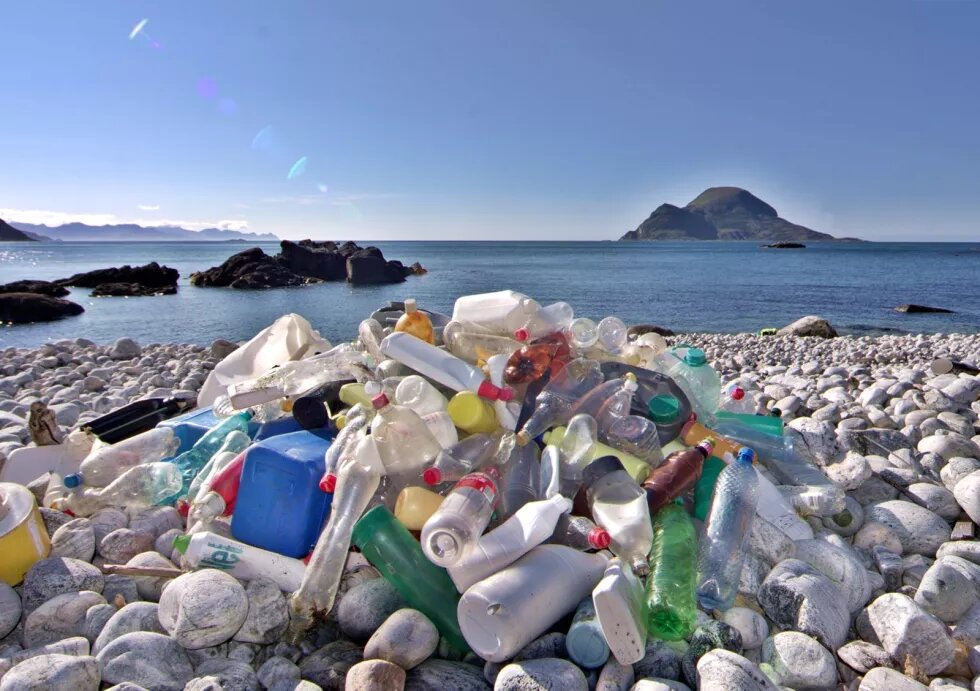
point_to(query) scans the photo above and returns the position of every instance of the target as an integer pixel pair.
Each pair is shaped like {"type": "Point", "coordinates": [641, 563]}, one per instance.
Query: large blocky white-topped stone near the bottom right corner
{"type": "Point", "coordinates": [907, 630]}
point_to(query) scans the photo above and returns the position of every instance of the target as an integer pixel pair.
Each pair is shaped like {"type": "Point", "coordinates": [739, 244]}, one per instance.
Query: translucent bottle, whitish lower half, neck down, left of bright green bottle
{"type": "Point", "coordinates": [619, 505]}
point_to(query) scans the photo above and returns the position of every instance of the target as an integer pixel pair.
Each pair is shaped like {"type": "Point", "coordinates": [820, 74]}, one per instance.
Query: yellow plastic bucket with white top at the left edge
{"type": "Point", "coordinates": [23, 537]}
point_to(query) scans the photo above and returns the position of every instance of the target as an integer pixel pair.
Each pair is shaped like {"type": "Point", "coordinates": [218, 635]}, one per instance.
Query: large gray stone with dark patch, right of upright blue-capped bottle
{"type": "Point", "coordinates": [797, 596]}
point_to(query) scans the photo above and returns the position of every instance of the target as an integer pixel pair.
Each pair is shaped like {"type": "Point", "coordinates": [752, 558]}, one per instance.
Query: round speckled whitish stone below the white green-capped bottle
{"type": "Point", "coordinates": [203, 608]}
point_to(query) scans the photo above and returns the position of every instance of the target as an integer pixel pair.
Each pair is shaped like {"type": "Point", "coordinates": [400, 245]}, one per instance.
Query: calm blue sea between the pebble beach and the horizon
{"type": "Point", "coordinates": [688, 286]}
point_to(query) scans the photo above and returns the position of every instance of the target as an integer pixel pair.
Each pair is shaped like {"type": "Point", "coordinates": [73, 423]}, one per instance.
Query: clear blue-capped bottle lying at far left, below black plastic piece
{"type": "Point", "coordinates": [105, 463]}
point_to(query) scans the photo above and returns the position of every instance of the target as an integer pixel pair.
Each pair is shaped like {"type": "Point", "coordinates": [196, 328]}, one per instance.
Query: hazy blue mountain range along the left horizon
{"type": "Point", "coordinates": [79, 232]}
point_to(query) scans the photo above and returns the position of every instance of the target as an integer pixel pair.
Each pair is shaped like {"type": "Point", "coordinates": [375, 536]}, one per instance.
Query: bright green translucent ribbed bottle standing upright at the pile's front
{"type": "Point", "coordinates": [672, 608]}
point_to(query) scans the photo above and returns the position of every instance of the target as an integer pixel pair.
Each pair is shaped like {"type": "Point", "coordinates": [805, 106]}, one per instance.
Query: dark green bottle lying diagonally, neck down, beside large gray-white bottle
{"type": "Point", "coordinates": [392, 550]}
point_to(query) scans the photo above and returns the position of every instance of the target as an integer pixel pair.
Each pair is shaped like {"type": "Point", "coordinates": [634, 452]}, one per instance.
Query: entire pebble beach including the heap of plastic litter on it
{"type": "Point", "coordinates": [508, 497]}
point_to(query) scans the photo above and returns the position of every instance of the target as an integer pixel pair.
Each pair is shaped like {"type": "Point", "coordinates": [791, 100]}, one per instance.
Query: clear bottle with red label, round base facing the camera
{"type": "Point", "coordinates": [461, 519]}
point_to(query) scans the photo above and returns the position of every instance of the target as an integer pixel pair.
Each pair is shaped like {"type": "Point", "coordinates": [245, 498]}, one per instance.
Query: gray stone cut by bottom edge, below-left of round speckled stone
{"type": "Point", "coordinates": [149, 659]}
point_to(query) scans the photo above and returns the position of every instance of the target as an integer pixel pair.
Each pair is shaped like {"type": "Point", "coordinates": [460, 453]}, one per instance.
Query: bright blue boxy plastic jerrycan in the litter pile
{"type": "Point", "coordinates": [280, 506]}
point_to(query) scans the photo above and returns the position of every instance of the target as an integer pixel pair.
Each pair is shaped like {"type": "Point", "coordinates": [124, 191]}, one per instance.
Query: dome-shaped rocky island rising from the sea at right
{"type": "Point", "coordinates": [724, 213]}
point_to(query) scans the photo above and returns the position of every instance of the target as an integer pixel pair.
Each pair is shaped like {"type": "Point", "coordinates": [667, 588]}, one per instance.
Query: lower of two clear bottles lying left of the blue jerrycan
{"type": "Point", "coordinates": [141, 486]}
